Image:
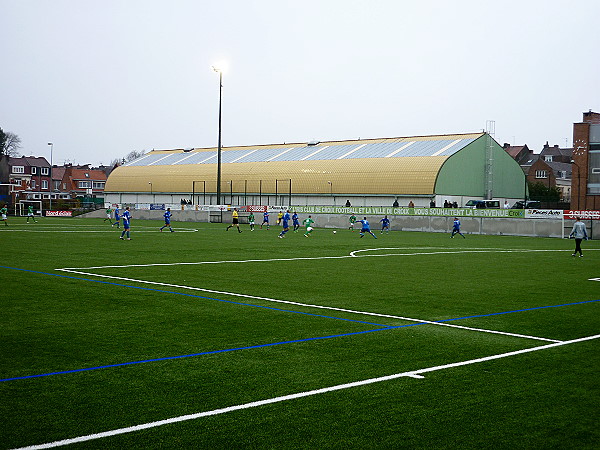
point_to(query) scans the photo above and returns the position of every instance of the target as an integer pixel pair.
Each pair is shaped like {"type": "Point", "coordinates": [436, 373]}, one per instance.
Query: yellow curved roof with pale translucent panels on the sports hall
{"type": "Point", "coordinates": [394, 166]}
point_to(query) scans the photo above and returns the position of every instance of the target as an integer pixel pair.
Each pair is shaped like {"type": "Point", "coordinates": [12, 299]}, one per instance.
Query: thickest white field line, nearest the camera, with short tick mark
{"type": "Point", "coordinates": [412, 374]}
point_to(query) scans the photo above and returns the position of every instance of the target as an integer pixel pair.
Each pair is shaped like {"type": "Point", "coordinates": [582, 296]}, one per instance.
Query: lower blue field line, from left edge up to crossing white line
{"type": "Point", "coordinates": [214, 352]}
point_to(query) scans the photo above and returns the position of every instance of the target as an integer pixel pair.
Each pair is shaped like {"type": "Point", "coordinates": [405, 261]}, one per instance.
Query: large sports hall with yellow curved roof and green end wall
{"type": "Point", "coordinates": [369, 172]}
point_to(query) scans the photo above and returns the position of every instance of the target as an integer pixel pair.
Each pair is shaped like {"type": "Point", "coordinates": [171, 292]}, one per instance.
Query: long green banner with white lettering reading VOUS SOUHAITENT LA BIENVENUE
{"type": "Point", "coordinates": [405, 211]}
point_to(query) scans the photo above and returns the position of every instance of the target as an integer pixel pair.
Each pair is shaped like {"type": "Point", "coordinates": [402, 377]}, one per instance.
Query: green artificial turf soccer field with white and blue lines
{"type": "Point", "coordinates": [204, 338]}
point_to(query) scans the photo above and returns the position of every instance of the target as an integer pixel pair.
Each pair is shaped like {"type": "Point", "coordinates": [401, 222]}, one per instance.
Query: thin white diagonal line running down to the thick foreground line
{"type": "Point", "coordinates": [305, 305]}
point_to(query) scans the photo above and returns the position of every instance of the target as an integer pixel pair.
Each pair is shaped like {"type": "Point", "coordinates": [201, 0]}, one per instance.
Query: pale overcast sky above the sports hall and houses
{"type": "Point", "coordinates": [102, 78]}
